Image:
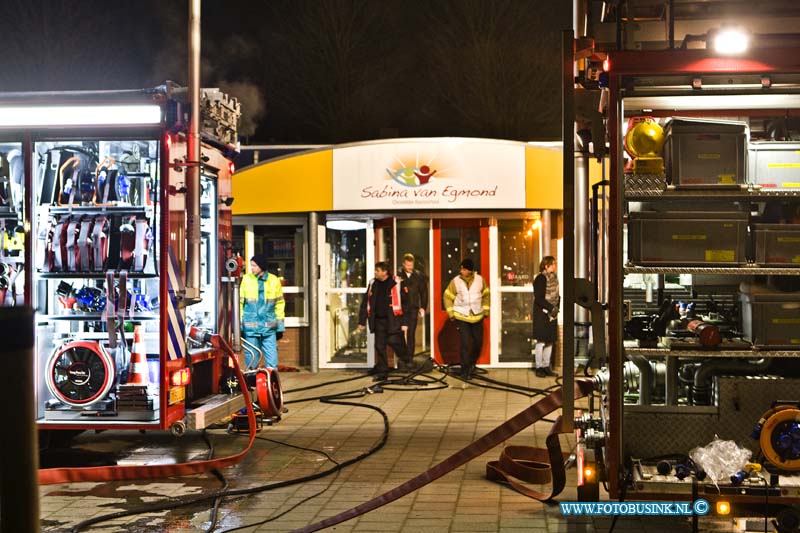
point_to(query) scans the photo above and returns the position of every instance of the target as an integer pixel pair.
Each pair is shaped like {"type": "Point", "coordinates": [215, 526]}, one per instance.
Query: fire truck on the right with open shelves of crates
{"type": "Point", "coordinates": [694, 269]}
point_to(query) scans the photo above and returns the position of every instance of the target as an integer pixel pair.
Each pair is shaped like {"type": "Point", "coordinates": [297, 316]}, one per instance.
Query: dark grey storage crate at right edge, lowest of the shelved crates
{"type": "Point", "coordinates": [770, 318]}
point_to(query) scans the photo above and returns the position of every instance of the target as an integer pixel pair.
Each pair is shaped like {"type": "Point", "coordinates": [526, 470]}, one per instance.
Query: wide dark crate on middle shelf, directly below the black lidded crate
{"type": "Point", "coordinates": [687, 238]}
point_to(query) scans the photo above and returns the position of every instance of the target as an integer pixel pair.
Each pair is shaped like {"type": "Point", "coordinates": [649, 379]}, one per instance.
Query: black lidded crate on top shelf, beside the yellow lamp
{"type": "Point", "coordinates": [706, 153]}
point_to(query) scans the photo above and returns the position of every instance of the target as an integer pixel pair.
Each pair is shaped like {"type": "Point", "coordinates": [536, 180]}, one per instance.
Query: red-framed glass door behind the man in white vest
{"type": "Point", "coordinates": [454, 240]}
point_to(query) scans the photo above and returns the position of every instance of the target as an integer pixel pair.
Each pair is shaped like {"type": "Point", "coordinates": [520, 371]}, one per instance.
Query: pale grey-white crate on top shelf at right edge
{"type": "Point", "coordinates": [774, 165]}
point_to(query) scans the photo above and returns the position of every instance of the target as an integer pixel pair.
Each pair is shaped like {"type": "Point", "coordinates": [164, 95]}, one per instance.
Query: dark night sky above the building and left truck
{"type": "Point", "coordinates": [313, 71]}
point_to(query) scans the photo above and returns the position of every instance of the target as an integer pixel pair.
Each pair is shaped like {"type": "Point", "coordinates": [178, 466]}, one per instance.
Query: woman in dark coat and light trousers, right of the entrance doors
{"type": "Point", "coordinates": [546, 301]}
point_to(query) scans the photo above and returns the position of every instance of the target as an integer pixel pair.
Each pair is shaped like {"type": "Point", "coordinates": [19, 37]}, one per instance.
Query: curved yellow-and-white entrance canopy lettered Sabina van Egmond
{"type": "Point", "coordinates": [448, 173]}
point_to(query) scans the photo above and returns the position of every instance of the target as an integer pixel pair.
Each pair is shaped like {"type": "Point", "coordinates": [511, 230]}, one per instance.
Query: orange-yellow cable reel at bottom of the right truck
{"type": "Point", "coordinates": [780, 438]}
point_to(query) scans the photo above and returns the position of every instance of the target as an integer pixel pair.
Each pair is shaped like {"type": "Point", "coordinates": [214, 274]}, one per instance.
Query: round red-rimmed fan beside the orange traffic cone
{"type": "Point", "coordinates": [80, 373]}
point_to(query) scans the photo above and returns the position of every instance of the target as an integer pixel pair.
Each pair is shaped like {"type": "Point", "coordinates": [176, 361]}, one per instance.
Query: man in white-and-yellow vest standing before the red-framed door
{"type": "Point", "coordinates": [466, 300]}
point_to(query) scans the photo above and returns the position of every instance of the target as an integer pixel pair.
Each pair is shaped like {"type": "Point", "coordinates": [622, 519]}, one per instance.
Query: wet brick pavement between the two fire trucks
{"type": "Point", "coordinates": [428, 422]}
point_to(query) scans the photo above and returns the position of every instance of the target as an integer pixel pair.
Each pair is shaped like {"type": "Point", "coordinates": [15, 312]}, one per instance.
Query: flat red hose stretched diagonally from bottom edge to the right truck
{"type": "Point", "coordinates": [509, 428]}
